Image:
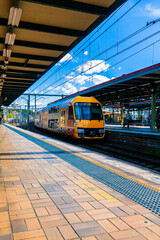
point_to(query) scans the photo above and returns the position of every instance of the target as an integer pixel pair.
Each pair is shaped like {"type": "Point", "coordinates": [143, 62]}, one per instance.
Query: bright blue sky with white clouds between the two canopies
{"type": "Point", "coordinates": [120, 45]}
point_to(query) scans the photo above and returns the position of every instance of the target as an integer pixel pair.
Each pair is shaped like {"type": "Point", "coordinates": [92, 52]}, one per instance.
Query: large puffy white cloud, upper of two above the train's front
{"type": "Point", "coordinates": [93, 66]}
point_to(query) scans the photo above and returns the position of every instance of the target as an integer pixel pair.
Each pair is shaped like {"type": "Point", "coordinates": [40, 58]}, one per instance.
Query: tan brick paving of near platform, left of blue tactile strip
{"type": "Point", "coordinates": [43, 197]}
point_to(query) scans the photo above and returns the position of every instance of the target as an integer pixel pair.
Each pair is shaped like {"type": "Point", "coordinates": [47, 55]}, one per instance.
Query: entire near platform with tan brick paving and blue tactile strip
{"type": "Point", "coordinates": [51, 190]}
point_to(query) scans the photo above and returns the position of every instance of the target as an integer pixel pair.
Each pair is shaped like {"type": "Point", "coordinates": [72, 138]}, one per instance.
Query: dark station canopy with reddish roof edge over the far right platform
{"type": "Point", "coordinates": [137, 87]}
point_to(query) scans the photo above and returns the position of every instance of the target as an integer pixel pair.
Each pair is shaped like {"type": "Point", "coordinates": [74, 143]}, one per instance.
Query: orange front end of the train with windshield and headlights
{"type": "Point", "coordinates": [88, 118]}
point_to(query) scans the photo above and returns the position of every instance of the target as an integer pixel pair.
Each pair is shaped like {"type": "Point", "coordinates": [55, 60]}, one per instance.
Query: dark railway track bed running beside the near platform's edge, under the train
{"type": "Point", "coordinates": [114, 150]}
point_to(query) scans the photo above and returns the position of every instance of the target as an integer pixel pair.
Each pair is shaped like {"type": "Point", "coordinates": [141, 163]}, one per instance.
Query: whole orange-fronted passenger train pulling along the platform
{"type": "Point", "coordinates": [78, 117]}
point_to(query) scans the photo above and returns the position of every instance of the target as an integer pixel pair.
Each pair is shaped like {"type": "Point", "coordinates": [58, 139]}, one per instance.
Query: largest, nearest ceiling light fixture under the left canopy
{"type": "Point", "coordinates": [14, 16]}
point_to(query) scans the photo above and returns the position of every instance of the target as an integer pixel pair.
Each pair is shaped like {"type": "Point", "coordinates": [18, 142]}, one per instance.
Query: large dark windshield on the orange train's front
{"type": "Point", "coordinates": [88, 111]}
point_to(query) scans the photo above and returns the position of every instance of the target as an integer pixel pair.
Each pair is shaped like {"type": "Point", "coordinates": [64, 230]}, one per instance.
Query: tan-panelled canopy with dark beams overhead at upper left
{"type": "Point", "coordinates": [48, 29]}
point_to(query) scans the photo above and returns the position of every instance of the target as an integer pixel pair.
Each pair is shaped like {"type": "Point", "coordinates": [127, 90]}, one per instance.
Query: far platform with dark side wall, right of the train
{"type": "Point", "coordinates": [135, 139]}
